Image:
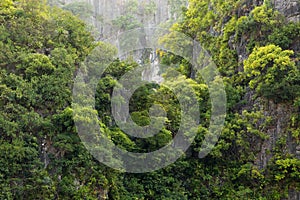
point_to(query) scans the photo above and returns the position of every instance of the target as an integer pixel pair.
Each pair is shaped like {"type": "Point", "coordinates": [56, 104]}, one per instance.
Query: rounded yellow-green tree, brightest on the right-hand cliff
{"type": "Point", "coordinates": [272, 73]}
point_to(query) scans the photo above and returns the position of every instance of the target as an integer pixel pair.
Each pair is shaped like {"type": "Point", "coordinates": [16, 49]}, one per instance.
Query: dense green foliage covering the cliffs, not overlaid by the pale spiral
{"type": "Point", "coordinates": [42, 157]}
